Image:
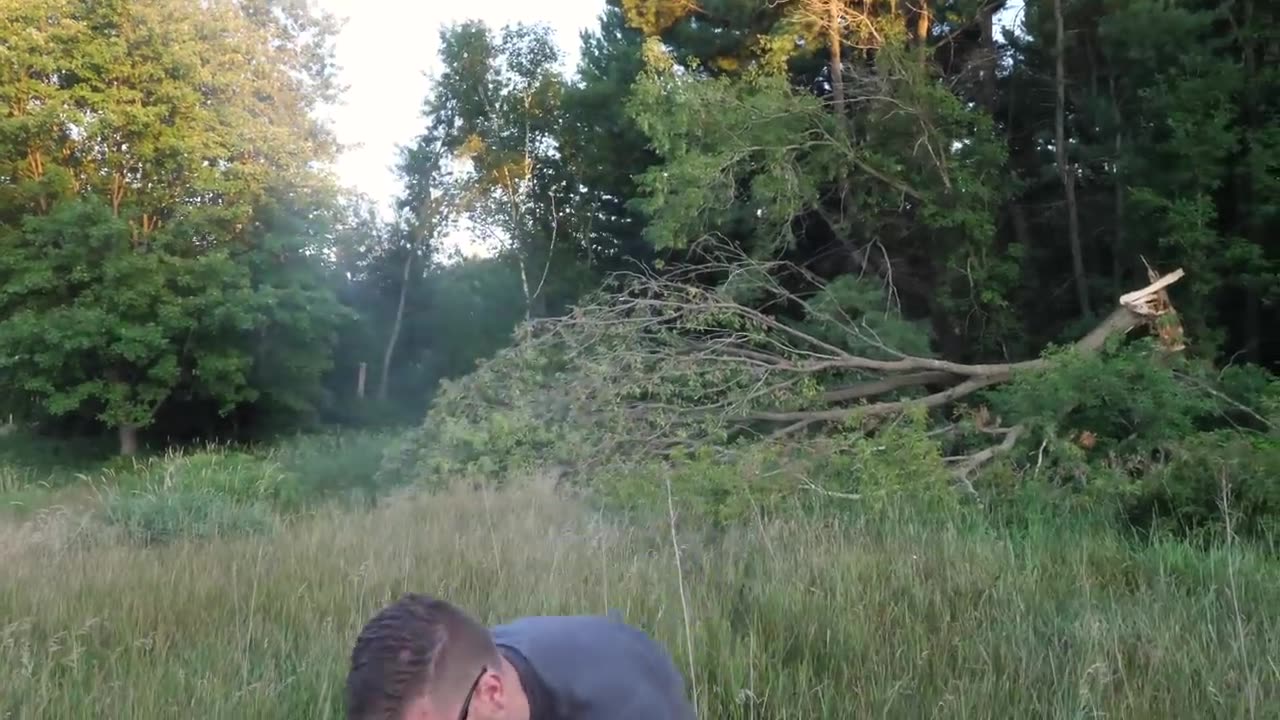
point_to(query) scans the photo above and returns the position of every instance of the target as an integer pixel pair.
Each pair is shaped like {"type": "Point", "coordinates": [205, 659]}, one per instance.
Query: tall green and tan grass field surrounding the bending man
{"type": "Point", "coordinates": [890, 617]}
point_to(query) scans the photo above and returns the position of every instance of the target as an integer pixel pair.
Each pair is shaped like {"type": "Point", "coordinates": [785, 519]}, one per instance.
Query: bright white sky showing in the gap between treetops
{"type": "Point", "coordinates": [385, 53]}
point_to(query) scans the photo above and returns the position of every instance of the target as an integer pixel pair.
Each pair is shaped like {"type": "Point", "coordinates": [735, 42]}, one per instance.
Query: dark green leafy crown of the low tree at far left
{"type": "Point", "coordinates": [92, 325]}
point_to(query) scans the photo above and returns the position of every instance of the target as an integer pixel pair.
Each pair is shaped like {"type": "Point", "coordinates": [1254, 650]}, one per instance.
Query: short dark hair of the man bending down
{"type": "Point", "coordinates": [415, 645]}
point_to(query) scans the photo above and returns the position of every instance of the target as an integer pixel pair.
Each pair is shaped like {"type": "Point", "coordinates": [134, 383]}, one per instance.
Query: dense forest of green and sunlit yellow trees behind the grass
{"type": "Point", "coordinates": [926, 199]}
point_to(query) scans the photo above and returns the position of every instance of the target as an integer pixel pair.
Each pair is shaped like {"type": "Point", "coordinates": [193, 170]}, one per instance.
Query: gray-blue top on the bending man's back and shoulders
{"type": "Point", "coordinates": [596, 668]}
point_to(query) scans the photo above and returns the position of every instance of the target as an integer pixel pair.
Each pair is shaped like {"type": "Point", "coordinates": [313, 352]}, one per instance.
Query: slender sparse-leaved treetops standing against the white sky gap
{"type": "Point", "coordinates": [497, 111]}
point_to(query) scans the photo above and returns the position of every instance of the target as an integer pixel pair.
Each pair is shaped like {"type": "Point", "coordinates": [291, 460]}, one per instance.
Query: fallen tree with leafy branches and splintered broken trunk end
{"type": "Point", "coordinates": [724, 349]}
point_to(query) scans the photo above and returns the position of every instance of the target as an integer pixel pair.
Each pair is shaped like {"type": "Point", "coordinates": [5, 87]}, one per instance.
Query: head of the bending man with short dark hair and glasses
{"type": "Point", "coordinates": [423, 659]}
